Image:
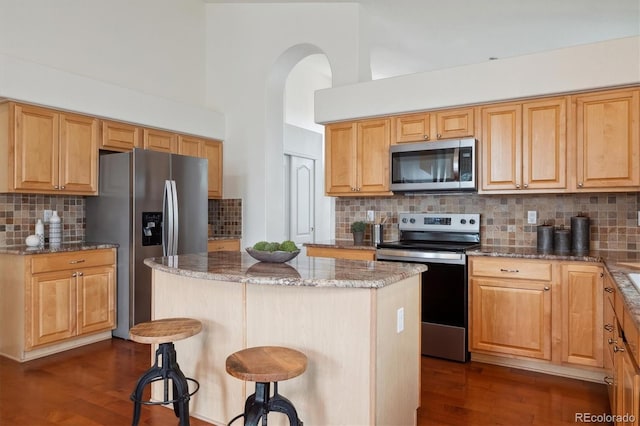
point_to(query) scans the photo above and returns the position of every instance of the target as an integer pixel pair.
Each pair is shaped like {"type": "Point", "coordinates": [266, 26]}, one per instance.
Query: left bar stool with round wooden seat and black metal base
{"type": "Point", "coordinates": [164, 332]}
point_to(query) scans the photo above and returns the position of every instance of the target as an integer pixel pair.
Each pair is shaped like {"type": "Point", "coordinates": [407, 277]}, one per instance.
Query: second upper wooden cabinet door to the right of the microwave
{"type": "Point", "coordinates": [544, 144]}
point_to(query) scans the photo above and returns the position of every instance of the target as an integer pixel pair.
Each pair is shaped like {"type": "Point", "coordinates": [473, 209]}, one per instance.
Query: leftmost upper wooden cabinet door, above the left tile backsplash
{"type": "Point", "coordinates": [36, 149]}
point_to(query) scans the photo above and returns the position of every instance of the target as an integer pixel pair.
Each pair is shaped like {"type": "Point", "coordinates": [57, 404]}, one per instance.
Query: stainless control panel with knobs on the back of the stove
{"type": "Point", "coordinates": [446, 222]}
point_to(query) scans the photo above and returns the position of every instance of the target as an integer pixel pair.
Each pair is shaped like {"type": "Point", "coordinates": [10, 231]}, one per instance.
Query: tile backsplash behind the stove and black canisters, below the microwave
{"type": "Point", "coordinates": [614, 223]}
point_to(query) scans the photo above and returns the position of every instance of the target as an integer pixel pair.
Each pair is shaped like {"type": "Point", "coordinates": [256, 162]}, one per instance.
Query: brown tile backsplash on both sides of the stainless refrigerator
{"type": "Point", "coordinates": [20, 212]}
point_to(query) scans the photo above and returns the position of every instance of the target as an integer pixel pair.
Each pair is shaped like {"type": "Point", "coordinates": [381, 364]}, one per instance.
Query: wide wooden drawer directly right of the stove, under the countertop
{"type": "Point", "coordinates": [511, 268]}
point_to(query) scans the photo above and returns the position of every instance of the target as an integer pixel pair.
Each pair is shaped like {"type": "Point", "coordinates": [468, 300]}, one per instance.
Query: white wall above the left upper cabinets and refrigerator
{"type": "Point", "coordinates": [141, 61]}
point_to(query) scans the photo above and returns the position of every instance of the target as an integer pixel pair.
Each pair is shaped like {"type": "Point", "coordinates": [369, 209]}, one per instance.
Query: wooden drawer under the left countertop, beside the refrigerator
{"type": "Point", "coordinates": [72, 260]}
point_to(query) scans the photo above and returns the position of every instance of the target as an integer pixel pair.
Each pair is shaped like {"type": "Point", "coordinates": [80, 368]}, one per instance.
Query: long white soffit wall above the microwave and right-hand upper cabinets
{"type": "Point", "coordinates": [609, 63]}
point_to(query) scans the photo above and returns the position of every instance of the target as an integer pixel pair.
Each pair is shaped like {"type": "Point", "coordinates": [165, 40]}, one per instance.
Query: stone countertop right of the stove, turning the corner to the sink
{"type": "Point", "coordinates": [611, 259]}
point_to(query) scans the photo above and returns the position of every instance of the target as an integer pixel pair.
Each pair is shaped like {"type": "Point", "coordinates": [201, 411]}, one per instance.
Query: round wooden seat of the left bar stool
{"type": "Point", "coordinates": [165, 330]}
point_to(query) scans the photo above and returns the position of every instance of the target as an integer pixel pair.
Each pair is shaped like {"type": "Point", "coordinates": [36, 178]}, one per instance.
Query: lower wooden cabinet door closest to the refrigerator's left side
{"type": "Point", "coordinates": [96, 299]}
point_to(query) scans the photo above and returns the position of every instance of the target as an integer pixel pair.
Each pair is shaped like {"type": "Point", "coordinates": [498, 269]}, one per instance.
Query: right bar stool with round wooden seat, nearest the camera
{"type": "Point", "coordinates": [264, 365]}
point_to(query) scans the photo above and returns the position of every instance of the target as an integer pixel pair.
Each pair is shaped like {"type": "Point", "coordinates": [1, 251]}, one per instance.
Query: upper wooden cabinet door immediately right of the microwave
{"type": "Point", "coordinates": [501, 147]}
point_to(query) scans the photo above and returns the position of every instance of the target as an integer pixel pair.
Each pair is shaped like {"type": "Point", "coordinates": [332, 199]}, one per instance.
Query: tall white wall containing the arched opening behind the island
{"type": "Point", "coordinates": [246, 76]}
